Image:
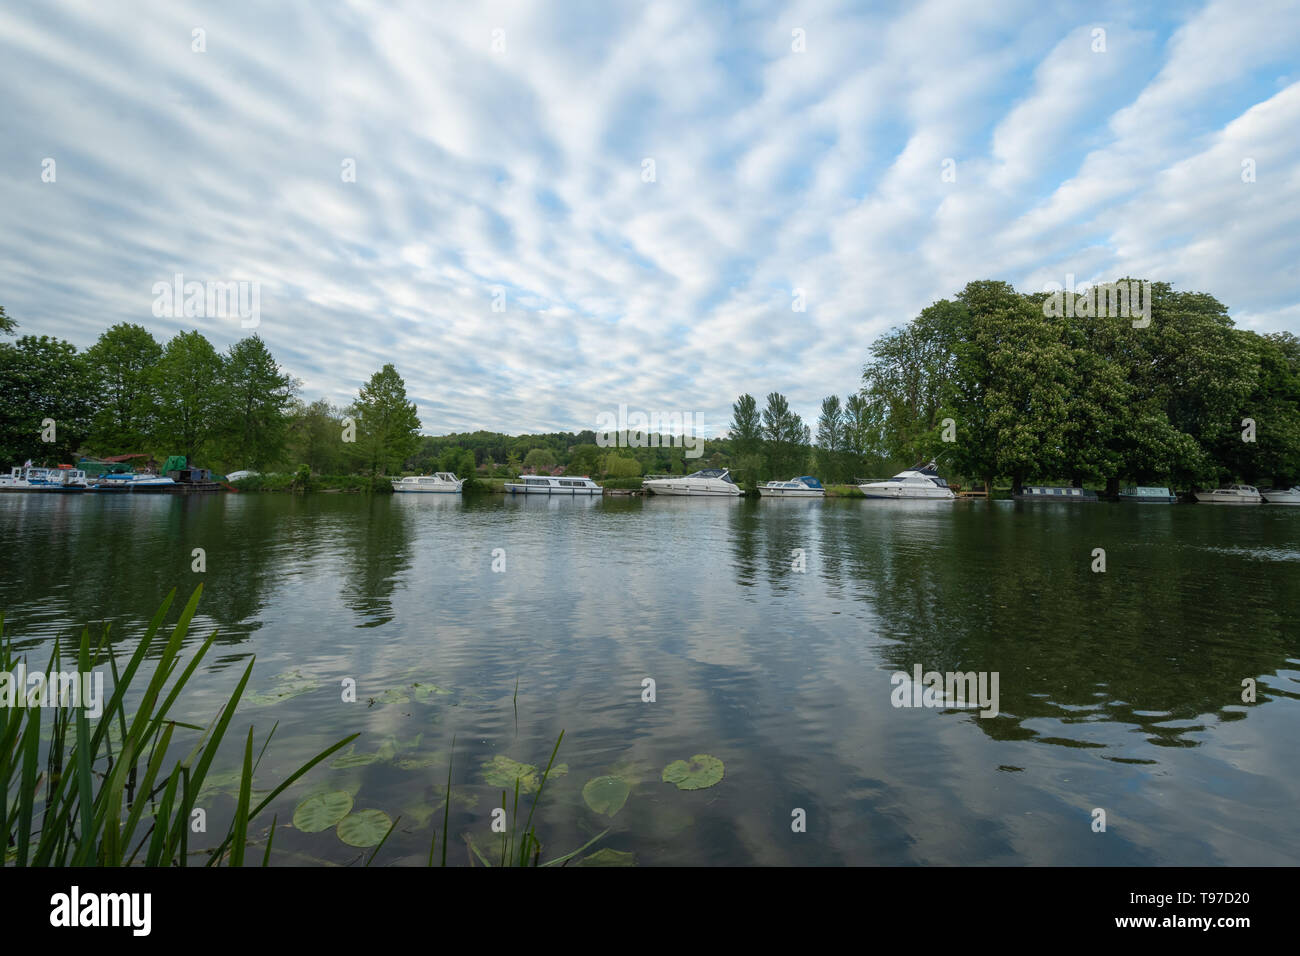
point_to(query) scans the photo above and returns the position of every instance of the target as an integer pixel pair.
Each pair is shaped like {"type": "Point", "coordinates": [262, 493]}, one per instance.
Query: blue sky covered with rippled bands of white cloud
{"type": "Point", "coordinates": [649, 189]}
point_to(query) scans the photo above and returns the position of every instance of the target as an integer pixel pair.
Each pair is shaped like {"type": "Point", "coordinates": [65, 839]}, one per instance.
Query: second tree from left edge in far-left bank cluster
{"type": "Point", "coordinates": [124, 361]}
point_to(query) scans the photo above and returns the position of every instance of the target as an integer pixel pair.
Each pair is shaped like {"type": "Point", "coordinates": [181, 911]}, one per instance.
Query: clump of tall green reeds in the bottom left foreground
{"type": "Point", "coordinates": [94, 806]}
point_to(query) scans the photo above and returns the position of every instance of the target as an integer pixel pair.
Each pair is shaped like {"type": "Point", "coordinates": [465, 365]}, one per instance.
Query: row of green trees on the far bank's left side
{"type": "Point", "coordinates": [132, 395]}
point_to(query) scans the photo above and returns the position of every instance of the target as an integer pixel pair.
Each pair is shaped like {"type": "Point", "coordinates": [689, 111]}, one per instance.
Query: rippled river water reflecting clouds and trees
{"type": "Point", "coordinates": [1120, 691]}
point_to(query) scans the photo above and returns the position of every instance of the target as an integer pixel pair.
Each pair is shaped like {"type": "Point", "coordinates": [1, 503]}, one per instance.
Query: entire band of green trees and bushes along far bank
{"type": "Point", "coordinates": [1002, 388]}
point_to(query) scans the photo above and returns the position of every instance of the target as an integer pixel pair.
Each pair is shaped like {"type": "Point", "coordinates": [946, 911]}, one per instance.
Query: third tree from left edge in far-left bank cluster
{"type": "Point", "coordinates": [189, 382]}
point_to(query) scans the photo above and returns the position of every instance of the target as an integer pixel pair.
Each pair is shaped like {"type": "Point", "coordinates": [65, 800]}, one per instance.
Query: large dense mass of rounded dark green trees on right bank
{"type": "Point", "coordinates": [1037, 392]}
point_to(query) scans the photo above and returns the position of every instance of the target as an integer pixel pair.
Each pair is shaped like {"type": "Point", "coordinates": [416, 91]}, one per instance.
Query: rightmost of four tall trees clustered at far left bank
{"type": "Point", "coordinates": [257, 400]}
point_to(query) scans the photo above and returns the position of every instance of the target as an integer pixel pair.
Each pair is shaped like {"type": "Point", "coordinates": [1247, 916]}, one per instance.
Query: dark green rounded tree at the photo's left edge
{"type": "Point", "coordinates": [47, 397]}
